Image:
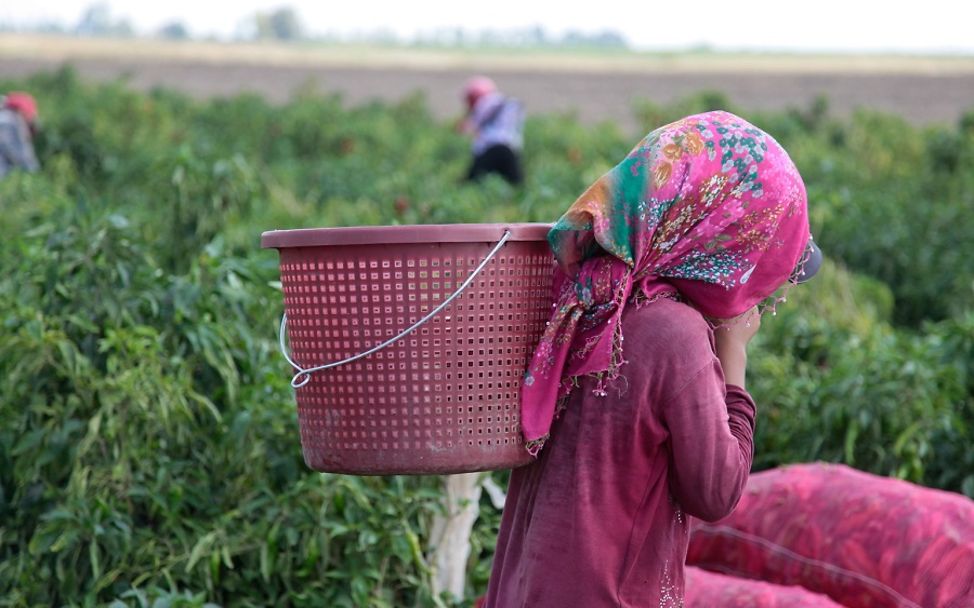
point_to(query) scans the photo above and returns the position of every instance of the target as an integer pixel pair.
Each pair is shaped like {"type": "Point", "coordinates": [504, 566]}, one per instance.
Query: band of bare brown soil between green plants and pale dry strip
{"type": "Point", "coordinates": [592, 96]}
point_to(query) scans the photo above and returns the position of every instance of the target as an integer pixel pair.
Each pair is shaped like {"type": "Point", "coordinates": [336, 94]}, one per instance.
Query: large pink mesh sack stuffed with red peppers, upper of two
{"type": "Point", "coordinates": [863, 540]}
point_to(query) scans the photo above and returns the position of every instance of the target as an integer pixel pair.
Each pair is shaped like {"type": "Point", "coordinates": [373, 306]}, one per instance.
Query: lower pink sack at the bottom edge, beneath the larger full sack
{"type": "Point", "coordinates": [709, 590]}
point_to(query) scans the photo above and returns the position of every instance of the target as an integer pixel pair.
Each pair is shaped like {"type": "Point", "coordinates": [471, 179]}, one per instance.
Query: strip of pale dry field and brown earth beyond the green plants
{"type": "Point", "coordinates": [596, 86]}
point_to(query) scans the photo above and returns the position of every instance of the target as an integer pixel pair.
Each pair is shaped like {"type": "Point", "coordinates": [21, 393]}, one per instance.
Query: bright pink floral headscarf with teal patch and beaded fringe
{"type": "Point", "coordinates": [709, 206]}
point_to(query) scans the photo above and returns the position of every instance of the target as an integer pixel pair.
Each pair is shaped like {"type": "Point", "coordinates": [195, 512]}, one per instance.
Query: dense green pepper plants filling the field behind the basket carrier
{"type": "Point", "coordinates": [149, 451]}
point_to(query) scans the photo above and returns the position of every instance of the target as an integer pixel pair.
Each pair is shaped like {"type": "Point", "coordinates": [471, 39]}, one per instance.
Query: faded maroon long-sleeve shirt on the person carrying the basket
{"type": "Point", "coordinates": [600, 519]}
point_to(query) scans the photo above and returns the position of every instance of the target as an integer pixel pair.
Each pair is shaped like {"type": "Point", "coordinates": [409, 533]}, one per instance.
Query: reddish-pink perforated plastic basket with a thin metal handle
{"type": "Point", "coordinates": [442, 399]}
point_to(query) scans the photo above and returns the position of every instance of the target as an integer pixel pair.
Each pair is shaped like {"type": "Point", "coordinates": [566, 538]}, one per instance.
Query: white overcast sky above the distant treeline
{"type": "Point", "coordinates": [852, 25]}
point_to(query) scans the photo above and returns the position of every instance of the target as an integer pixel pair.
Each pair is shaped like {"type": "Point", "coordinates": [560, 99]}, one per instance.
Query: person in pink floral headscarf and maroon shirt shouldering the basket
{"type": "Point", "coordinates": [666, 263]}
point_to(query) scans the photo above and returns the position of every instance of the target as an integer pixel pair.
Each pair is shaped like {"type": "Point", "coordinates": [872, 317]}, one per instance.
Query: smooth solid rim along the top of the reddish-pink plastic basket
{"type": "Point", "coordinates": [414, 233]}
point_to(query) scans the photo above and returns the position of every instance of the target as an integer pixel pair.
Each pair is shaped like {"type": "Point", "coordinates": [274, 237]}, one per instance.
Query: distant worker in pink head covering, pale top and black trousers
{"type": "Point", "coordinates": [496, 123]}
